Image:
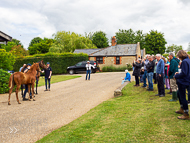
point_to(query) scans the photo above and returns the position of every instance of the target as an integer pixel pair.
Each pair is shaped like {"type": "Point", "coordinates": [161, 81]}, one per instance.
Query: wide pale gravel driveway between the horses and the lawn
{"type": "Point", "coordinates": [67, 100]}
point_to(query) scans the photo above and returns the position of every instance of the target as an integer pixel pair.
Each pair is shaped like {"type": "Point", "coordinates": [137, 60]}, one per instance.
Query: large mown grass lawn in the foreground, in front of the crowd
{"type": "Point", "coordinates": [137, 116]}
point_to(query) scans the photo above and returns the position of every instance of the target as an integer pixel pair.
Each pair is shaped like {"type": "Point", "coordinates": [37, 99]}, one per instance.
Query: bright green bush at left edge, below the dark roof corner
{"type": "Point", "coordinates": [7, 60]}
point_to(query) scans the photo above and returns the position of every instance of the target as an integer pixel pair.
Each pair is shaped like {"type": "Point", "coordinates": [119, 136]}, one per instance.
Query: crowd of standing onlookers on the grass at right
{"type": "Point", "coordinates": [174, 73]}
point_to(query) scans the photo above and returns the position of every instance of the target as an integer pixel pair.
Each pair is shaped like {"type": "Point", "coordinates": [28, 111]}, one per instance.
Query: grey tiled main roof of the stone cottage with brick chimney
{"type": "Point", "coordinates": [118, 50]}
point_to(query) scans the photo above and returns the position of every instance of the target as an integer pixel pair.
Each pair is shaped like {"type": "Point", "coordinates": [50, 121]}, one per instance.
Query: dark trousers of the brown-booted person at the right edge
{"type": "Point", "coordinates": [182, 96]}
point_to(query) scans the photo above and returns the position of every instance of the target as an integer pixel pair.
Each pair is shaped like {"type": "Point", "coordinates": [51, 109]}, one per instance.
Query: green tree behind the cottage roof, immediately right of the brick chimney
{"type": "Point", "coordinates": [130, 37]}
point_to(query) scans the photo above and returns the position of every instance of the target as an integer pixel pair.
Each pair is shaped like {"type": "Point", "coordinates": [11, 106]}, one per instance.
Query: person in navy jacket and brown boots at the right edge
{"type": "Point", "coordinates": [183, 82]}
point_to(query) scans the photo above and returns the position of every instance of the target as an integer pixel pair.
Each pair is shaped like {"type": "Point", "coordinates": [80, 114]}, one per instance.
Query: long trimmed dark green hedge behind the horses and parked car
{"type": "Point", "coordinates": [58, 61]}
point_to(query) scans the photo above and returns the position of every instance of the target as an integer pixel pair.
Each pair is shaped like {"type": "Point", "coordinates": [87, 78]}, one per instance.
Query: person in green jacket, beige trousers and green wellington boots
{"type": "Point", "coordinates": [172, 70]}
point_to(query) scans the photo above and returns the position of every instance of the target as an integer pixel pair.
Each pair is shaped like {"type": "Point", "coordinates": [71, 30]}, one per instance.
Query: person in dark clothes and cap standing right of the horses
{"type": "Point", "coordinates": [48, 73]}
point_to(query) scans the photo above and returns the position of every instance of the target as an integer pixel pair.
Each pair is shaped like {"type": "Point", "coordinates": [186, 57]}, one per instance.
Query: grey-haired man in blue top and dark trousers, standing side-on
{"type": "Point", "coordinates": [160, 76]}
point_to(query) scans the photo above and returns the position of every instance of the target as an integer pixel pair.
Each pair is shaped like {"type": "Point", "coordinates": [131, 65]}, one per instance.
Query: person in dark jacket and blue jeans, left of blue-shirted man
{"type": "Point", "coordinates": [150, 73]}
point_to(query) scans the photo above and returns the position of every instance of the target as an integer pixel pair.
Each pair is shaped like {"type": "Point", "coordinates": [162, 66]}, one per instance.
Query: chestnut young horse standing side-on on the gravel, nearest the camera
{"type": "Point", "coordinates": [19, 78]}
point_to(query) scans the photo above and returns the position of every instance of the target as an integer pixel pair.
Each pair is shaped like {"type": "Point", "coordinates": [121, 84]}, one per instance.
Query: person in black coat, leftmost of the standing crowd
{"type": "Point", "coordinates": [137, 67]}
